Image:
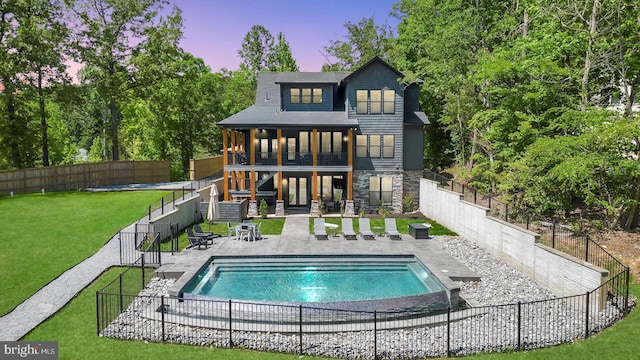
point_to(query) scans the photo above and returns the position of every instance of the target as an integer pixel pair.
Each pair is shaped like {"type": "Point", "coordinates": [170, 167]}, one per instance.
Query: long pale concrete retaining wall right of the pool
{"type": "Point", "coordinates": [517, 247]}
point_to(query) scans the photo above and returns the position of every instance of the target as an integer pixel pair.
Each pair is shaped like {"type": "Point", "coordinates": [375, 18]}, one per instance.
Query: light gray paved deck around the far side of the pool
{"type": "Point", "coordinates": [296, 240]}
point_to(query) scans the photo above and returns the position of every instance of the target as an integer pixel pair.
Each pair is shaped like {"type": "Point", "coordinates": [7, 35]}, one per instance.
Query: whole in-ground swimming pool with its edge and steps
{"type": "Point", "coordinates": [358, 281]}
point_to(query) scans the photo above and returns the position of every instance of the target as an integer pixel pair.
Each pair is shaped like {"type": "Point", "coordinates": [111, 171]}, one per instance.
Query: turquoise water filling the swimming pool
{"type": "Point", "coordinates": [323, 281]}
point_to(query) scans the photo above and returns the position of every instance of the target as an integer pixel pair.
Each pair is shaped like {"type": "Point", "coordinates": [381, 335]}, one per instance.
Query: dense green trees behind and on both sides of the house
{"type": "Point", "coordinates": [532, 101]}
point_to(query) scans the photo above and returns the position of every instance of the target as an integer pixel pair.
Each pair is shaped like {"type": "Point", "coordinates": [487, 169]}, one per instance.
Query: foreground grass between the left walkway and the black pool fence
{"type": "Point", "coordinates": [74, 327]}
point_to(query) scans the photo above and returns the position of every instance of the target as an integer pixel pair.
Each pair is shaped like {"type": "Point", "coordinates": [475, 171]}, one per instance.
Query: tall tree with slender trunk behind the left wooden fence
{"type": "Point", "coordinates": [110, 35]}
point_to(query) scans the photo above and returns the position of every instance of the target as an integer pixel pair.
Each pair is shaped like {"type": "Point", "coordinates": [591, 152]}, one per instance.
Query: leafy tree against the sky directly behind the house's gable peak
{"type": "Point", "coordinates": [364, 41]}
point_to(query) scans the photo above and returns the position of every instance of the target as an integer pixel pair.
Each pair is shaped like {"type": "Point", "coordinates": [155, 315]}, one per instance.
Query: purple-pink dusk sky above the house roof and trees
{"type": "Point", "coordinates": [214, 29]}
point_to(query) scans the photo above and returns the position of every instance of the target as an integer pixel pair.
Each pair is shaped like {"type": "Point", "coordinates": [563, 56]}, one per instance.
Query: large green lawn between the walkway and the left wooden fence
{"type": "Point", "coordinates": [43, 236]}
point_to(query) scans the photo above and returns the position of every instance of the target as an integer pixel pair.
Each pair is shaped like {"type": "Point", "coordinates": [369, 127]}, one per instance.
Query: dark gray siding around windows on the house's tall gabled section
{"type": "Point", "coordinates": [376, 77]}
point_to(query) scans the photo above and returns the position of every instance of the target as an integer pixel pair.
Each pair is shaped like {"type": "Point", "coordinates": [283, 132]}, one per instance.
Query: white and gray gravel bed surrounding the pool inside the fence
{"type": "Point", "coordinates": [485, 328]}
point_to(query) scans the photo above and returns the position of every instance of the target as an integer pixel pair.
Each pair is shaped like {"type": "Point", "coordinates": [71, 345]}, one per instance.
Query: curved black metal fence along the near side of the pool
{"type": "Point", "coordinates": [124, 313]}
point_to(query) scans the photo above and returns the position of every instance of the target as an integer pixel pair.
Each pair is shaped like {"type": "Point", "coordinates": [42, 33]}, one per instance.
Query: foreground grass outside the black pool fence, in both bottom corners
{"type": "Point", "coordinates": [74, 328]}
